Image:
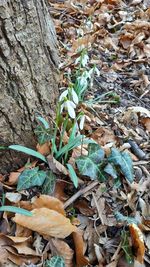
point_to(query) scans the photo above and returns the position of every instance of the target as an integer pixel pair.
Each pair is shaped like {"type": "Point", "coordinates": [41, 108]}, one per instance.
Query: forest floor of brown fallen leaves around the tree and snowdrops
{"type": "Point", "coordinates": [112, 216]}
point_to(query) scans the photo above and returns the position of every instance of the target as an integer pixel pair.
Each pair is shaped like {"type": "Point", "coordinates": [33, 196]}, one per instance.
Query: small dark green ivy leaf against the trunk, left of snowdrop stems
{"type": "Point", "coordinates": [43, 134]}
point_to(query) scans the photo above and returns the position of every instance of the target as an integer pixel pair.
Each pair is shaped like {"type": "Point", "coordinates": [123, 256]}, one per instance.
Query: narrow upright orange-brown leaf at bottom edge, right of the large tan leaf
{"type": "Point", "coordinates": [81, 260]}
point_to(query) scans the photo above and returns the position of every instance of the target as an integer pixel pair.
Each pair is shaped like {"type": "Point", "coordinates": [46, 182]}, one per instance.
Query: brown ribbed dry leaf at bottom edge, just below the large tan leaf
{"type": "Point", "coordinates": [61, 248]}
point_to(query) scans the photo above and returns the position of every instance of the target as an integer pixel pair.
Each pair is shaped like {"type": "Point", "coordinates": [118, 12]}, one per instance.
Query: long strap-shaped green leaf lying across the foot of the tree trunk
{"type": "Point", "coordinates": [28, 151]}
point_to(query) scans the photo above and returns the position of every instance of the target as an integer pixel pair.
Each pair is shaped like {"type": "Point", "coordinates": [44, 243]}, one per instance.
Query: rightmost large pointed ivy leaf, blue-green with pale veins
{"type": "Point", "coordinates": [124, 161]}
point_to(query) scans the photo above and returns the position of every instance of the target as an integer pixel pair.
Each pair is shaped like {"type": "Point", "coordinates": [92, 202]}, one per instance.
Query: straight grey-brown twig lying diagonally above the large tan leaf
{"type": "Point", "coordinates": [79, 193]}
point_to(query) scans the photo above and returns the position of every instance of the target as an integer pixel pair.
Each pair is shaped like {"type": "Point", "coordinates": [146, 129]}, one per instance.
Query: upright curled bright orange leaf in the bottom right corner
{"type": "Point", "coordinates": [137, 242]}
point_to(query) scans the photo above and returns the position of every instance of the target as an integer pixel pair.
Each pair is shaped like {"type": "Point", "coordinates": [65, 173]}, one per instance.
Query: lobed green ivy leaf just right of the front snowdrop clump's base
{"type": "Point", "coordinates": [90, 165]}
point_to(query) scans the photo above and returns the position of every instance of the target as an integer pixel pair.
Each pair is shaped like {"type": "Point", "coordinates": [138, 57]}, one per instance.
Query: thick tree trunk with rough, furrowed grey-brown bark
{"type": "Point", "coordinates": [28, 72]}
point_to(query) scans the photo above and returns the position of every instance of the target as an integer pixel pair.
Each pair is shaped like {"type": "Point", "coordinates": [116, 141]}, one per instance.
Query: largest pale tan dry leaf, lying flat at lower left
{"type": "Point", "coordinates": [46, 222]}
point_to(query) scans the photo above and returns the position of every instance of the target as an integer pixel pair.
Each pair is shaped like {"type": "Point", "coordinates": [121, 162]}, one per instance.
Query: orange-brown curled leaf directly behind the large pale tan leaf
{"type": "Point", "coordinates": [48, 202]}
